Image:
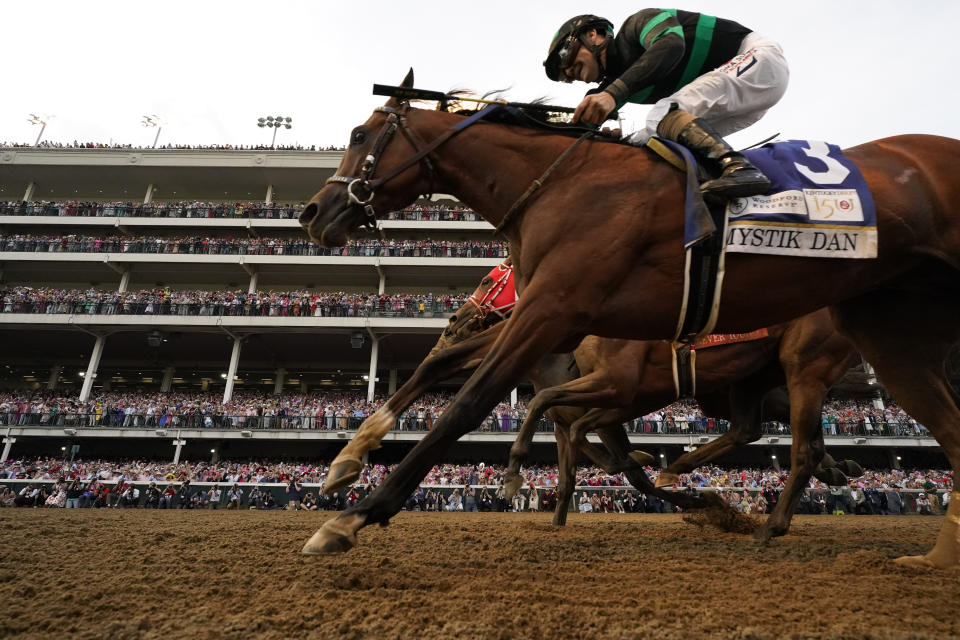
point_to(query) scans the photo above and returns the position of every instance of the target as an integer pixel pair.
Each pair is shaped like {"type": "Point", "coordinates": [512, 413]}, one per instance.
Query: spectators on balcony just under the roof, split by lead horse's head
{"type": "Point", "coordinates": [197, 209]}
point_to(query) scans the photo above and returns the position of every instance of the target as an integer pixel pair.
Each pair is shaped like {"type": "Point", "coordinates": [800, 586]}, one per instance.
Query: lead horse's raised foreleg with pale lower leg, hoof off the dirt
{"type": "Point", "coordinates": [346, 467]}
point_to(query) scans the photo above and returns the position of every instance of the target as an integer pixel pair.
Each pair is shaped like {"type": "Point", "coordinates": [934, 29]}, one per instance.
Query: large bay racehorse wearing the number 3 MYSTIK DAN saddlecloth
{"type": "Point", "coordinates": [599, 246]}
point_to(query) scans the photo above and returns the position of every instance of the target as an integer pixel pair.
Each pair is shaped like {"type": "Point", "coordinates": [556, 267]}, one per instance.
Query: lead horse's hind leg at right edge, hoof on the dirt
{"type": "Point", "coordinates": [908, 350]}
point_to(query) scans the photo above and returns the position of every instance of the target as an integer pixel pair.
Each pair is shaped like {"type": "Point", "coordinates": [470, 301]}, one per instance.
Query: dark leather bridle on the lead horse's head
{"type": "Point", "coordinates": [396, 119]}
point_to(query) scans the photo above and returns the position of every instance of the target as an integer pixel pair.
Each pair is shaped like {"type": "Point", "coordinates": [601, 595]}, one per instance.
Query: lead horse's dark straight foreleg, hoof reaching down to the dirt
{"type": "Point", "coordinates": [531, 332]}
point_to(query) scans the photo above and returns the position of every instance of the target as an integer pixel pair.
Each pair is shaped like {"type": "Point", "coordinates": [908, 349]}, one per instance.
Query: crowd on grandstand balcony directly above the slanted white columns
{"type": "Point", "coordinates": [163, 301]}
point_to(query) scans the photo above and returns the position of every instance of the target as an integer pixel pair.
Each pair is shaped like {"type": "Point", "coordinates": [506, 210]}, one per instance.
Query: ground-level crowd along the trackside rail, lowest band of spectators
{"type": "Point", "coordinates": [450, 487]}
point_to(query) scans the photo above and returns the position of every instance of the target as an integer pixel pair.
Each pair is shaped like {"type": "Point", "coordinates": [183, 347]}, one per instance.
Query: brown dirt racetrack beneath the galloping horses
{"type": "Point", "coordinates": [201, 574]}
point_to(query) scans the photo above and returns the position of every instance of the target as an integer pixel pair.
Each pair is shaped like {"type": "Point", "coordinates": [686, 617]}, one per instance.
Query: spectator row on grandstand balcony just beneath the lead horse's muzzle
{"type": "Point", "coordinates": [293, 246]}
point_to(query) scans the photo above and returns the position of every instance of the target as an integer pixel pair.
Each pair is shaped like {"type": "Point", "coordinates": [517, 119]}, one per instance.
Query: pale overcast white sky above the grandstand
{"type": "Point", "coordinates": [859, 70]}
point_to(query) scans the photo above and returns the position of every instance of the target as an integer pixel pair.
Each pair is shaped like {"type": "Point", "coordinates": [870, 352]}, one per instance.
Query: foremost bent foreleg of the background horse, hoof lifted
{"type": "Point", "coordinates": [588, 391]}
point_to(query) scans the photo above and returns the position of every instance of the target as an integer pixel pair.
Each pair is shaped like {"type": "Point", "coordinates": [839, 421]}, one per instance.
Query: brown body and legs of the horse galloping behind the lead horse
{"type": "Point", "coordinates": [625, 379]}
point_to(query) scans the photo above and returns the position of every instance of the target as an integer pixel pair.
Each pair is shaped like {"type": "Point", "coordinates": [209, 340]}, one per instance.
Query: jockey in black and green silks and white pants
{"type": "Point", "coordinates": [706, 77]}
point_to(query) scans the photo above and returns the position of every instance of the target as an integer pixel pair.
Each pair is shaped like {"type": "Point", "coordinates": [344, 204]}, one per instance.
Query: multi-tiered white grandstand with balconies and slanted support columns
{"type": "Point", "coordinates": [127, 272]}
